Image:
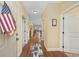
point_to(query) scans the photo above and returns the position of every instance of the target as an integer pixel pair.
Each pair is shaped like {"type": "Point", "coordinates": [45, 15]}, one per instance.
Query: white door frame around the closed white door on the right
{"type": "Point", "coordinates": [62, 24]}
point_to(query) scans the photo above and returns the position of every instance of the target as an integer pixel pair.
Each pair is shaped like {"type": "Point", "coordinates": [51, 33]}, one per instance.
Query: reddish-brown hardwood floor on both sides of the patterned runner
{"type": "Point", "coordinates": [26, 52]}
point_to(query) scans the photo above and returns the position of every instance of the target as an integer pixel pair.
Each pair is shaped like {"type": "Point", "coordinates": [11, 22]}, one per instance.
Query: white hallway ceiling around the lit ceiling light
{"type": "Point", "coordinates": [36, 5]}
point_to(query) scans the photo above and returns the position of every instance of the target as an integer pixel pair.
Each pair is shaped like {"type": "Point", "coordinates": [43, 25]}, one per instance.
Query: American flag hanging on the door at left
{"type": "Point", "coordinates": [7, 22]}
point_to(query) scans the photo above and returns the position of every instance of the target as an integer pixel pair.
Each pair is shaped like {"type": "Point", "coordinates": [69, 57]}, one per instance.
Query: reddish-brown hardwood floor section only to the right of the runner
{"type": "Point", "coordinates": [52, 53]}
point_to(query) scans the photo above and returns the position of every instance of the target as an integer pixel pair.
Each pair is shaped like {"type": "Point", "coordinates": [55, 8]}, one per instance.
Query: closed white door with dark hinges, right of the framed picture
{"type": "Point", "coordinates": [71, 33]}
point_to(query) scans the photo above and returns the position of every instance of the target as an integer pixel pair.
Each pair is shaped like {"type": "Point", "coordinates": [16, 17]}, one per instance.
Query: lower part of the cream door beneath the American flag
{"type": "Point", "coordinates": [7, 46]}
